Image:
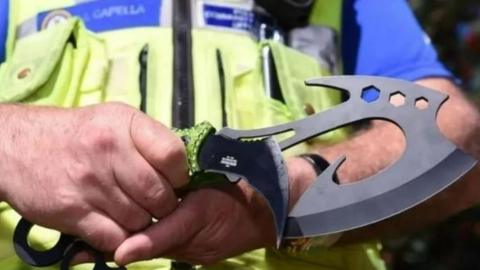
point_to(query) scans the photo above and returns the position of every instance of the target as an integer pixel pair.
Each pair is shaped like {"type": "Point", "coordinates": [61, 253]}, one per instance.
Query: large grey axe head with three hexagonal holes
{"type": "Point", "coordinates": [429, 164]}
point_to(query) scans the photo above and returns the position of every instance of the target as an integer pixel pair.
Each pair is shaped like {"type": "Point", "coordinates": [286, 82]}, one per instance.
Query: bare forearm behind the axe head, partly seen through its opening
{"type": "Point", "coordinates": [382, 144]}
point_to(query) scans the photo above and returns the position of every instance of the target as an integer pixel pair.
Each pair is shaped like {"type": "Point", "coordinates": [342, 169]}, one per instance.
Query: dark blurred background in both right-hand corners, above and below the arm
{"type": "Point", "coordinates": [454, 26]}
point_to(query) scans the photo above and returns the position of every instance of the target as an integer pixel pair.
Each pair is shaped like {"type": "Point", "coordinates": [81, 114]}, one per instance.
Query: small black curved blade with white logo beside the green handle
{"type": "Point", "coordinates": [259, 162]}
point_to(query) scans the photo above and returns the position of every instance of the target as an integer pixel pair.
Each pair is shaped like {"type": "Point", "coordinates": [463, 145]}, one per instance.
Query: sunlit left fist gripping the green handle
{"type": "Point", "coordinates": [100, 172]}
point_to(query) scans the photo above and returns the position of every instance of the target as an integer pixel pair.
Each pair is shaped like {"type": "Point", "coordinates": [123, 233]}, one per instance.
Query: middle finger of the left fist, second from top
{"type": "Point", "coordinates": [145, 186]}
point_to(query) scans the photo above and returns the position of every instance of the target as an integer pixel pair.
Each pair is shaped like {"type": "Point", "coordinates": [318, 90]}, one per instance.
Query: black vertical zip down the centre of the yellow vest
{"type": "Point", "coordinates": [183, 87]}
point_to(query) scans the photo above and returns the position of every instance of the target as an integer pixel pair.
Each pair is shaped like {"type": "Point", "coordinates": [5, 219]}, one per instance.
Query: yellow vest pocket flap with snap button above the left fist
{"type": "Point", "coordinates": [47, 68]}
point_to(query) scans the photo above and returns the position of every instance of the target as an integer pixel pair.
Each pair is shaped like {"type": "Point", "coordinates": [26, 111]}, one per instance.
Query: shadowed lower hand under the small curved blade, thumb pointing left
{"type": "Point", "coordinates": [214, 223]}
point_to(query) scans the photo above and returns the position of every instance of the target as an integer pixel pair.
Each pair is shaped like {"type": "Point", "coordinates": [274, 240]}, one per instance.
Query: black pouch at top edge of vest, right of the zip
{"type": "Point", "coordinates": [289, 13]}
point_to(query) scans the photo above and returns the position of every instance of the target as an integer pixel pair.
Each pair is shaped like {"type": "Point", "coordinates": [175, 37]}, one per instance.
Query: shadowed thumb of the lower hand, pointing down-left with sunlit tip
{"type": "Point", "coordinates": [171, 232]}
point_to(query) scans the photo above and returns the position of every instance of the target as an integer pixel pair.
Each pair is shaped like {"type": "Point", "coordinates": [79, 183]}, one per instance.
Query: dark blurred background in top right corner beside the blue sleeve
{"type": "Point", "coordinates": [454, 27]}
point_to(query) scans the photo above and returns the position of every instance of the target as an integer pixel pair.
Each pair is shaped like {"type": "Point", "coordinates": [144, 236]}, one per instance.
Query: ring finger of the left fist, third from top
{"type": "Point", "coordinates": [120, 207]}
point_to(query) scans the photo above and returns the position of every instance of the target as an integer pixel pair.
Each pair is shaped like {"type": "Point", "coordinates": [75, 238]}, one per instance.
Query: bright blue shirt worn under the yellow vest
{"type": "Point", "coordinates": [380, 38]}
